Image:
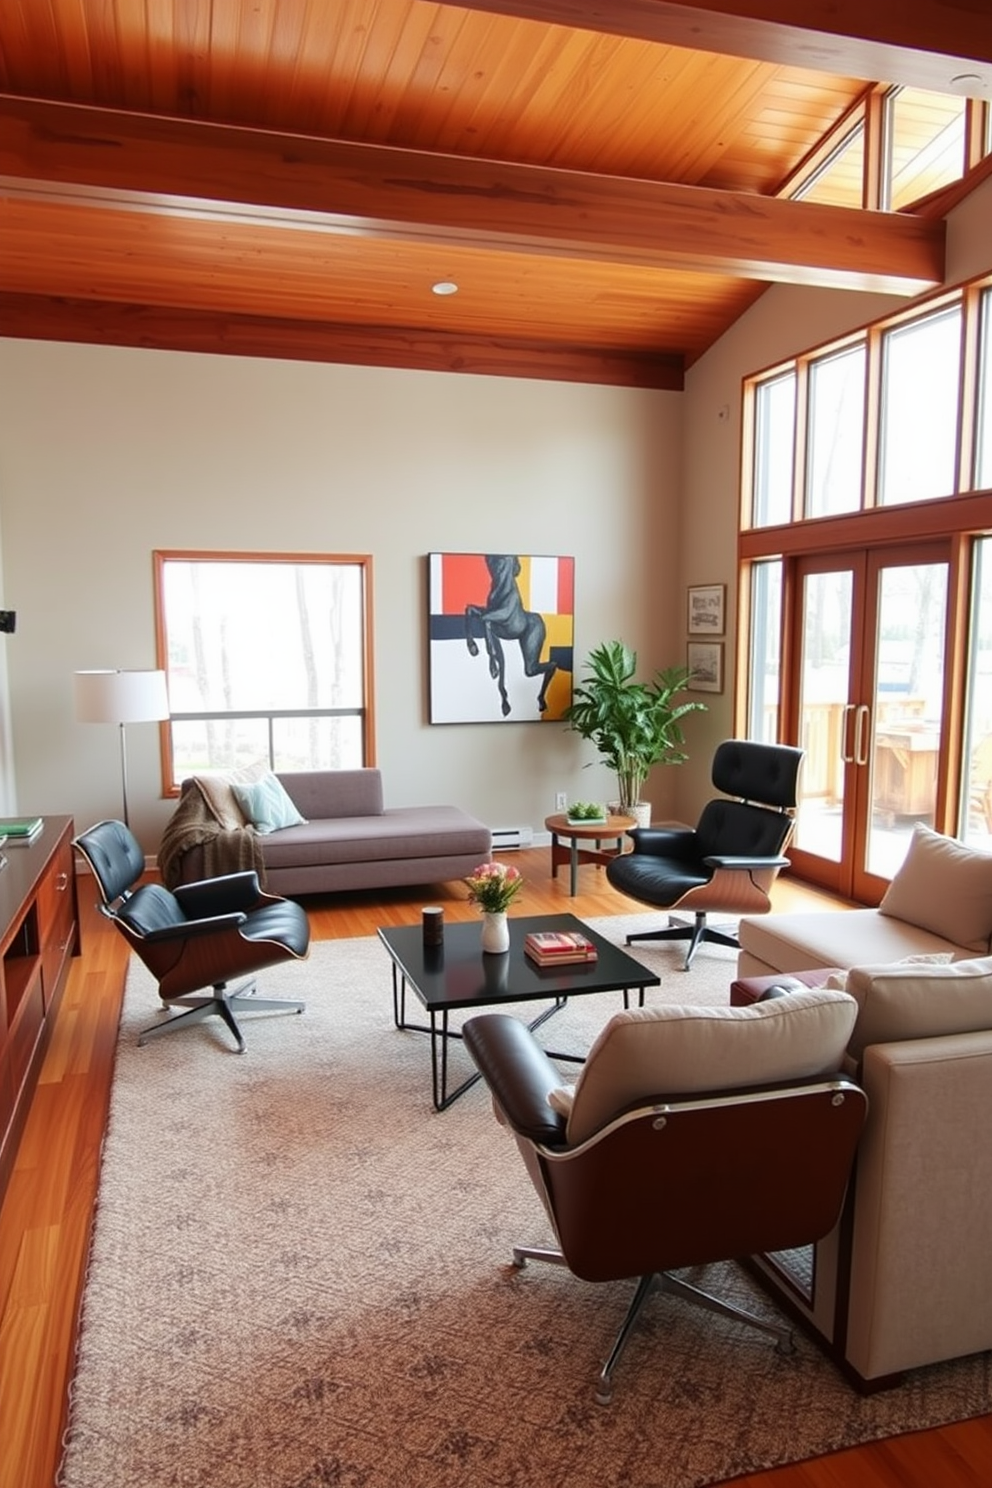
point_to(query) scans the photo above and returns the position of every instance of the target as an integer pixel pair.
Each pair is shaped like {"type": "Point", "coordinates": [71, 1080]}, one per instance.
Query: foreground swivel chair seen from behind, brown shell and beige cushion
{"type": "Point", "coordinates": [692, 1136]}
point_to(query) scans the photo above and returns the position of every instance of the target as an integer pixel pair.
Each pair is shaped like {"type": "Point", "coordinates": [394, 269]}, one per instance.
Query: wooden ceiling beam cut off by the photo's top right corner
{"type": "Point", "coordinates": [923, 44]}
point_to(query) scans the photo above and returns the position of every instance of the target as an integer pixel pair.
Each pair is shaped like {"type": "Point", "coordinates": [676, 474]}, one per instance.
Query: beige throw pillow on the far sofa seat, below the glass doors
{"type": "Point", "coordinates": [944, 888]}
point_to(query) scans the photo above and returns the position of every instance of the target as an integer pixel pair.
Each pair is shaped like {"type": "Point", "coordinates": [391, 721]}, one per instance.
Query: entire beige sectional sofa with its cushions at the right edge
{"type": "Point", "coordinates": [906, 1279]}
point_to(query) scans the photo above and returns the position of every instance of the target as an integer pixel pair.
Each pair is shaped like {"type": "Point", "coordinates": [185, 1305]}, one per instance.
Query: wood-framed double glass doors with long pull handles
{"type": "Point", "coordinates": [869, 709]}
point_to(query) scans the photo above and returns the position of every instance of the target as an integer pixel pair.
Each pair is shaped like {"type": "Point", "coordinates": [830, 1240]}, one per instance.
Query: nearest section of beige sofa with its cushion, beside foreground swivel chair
{"type": "Point", "coordinates": [906, 1277]}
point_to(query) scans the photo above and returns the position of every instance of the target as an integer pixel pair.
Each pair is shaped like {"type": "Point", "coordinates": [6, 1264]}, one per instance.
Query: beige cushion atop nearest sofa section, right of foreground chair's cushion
{"type": "Point", "coordinates": [920, 1002]}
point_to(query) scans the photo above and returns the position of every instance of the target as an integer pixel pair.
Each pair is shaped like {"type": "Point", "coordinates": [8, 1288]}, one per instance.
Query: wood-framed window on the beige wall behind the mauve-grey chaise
{"type": "Point", "coordinates": [268, 660]}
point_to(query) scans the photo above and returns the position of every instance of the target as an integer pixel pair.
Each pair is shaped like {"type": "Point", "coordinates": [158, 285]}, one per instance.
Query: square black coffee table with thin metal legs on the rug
{"type": "Point", "coordinates": [460, 975]}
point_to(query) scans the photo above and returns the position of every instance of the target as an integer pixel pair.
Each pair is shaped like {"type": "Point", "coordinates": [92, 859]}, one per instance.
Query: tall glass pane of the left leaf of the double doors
{"type": "Point", "coordinates": [825, 690]}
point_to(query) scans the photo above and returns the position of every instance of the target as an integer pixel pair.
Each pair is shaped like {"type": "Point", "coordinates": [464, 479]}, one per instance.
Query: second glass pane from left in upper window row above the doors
{"type": "Point", "coordinates": [837, 434]}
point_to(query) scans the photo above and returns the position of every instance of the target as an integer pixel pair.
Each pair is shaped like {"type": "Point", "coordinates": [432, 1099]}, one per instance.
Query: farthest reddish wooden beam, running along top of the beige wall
{"type": "Point", "coordinates": [41, 318]}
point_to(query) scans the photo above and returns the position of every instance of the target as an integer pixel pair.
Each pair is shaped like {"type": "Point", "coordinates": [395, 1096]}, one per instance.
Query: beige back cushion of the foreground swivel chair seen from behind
{"type": "Point", "coordinates": [655, 1053]}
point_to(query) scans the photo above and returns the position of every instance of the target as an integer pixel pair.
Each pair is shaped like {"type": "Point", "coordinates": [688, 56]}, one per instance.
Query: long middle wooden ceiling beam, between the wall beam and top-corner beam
{"type": "Point", "coordinates": [448, 200]}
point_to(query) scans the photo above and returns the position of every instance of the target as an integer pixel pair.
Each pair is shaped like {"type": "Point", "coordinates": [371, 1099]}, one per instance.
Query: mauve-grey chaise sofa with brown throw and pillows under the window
{"type": "Point", "coordinates": [349, 838]}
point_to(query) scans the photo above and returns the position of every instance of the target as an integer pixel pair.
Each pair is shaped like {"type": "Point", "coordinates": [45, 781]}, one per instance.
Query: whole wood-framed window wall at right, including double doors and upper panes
{"type": "Point", "coordinates": [868, 603]}
